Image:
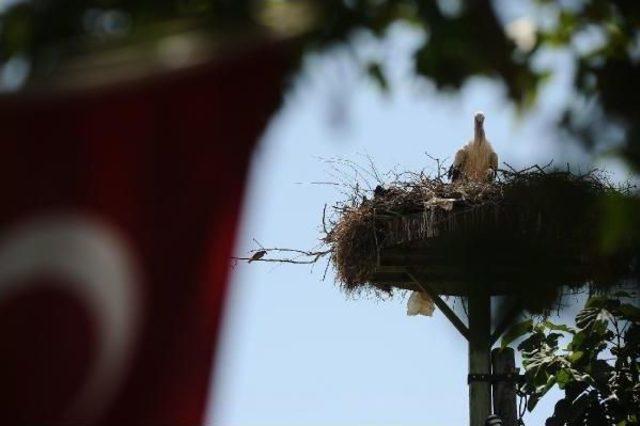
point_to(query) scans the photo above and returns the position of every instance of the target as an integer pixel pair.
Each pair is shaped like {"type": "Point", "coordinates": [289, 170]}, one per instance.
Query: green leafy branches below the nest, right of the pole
{"type": "Point", "coordinates": [598, 369]}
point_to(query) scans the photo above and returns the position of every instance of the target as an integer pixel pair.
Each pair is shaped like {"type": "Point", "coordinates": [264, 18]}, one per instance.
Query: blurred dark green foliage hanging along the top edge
{"type": "Point", "coordinates": [464, 39]}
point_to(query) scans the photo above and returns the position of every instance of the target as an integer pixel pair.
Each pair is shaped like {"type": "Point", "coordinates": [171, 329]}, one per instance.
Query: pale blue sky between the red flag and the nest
{"type": "Point", "coordinates": [297, 351]}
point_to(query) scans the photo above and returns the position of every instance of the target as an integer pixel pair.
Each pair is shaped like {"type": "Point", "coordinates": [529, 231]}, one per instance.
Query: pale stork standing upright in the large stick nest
{"type": "Point", "coordinates": [476, 161]}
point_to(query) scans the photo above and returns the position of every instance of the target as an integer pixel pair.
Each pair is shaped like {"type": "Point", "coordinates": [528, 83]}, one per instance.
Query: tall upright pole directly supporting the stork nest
{"type": "Point", "coordinates": [479, 356]}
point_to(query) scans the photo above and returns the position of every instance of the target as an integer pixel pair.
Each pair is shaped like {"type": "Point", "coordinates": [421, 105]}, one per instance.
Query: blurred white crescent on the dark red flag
{"type": "Point", "coordinates": [89, 259]}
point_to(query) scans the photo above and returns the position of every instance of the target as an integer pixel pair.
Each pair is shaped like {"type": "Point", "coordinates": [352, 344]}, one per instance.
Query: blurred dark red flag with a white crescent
{"type": "Point", "coordinates": [119, 210]}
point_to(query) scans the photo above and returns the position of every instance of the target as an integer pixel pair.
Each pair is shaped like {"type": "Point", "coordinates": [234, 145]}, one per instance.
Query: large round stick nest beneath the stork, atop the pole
{"type": "Point", "coordinates": [538, 229]}
